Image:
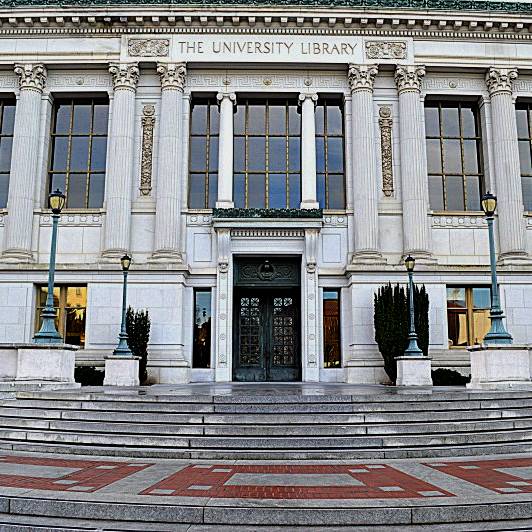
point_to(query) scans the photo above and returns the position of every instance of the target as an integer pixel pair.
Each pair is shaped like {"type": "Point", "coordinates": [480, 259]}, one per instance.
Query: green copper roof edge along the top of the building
{"type": "Point", "coordinates": [447, 5]}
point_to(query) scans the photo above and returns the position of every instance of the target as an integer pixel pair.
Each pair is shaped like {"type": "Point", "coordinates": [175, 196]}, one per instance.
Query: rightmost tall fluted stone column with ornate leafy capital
{"type": "Point", "coordinates": [506, 165]}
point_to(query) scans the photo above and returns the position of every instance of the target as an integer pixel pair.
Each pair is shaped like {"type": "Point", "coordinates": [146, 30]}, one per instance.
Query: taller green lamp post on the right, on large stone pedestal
{"type": "Point", "coordinates": [497, 334]}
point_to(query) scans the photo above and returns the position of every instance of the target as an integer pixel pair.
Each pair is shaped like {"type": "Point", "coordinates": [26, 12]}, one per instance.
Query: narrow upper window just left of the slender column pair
{"type": "Point", "coordinates": [203, 159]}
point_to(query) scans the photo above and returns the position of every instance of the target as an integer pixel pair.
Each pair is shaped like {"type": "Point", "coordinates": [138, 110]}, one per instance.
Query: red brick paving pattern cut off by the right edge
{"type": "Point", "coordinates": [485, 473]}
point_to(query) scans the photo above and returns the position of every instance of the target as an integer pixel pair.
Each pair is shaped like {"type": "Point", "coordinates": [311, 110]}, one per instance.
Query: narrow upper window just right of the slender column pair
{"type": "Point", "coordinates": [330, 155]}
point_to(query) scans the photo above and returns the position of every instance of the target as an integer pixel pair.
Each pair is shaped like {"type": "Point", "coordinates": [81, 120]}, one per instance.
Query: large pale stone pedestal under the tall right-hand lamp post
{"type": "Point", "coordinates": [500, 367]}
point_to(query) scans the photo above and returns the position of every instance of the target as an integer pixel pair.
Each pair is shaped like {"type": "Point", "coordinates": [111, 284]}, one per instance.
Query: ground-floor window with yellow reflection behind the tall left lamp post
{"type": "Point", "coordinates": [71, 302]}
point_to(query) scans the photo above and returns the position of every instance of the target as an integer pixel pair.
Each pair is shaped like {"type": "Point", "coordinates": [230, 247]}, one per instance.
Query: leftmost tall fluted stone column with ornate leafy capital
{"type": "Point", "coordinates": [24, 163]}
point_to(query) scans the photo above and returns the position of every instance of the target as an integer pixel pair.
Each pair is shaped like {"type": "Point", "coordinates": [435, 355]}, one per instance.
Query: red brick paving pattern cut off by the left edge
{"type": "Point", "coordinates": [92, 475]}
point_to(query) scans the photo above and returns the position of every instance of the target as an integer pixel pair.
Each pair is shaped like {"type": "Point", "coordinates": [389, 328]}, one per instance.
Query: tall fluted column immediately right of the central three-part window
{"type": "Point", "coordinates": [364, 159]}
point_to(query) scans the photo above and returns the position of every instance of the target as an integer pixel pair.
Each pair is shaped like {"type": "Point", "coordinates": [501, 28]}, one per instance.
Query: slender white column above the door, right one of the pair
{"type": "Point", "coordinates": [308, 151]}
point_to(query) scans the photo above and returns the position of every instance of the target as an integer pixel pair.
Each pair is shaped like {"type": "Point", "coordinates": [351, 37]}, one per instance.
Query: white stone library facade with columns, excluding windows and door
{"type": "Point", "coordinates": [384, 71]}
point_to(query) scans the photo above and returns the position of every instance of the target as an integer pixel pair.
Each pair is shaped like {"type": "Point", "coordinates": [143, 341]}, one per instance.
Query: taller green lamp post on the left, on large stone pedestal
{"type": "Point", "coordinates": [48, 333]}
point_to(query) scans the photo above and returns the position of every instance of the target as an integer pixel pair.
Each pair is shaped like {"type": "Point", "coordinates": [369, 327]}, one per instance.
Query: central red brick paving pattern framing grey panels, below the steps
{"type": "Point", "coordinates": [379, 482]}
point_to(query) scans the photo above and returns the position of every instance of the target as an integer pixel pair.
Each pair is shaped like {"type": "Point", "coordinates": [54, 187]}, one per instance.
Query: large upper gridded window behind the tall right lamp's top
{"type": "Point", "coordinates": [453, 156]}
